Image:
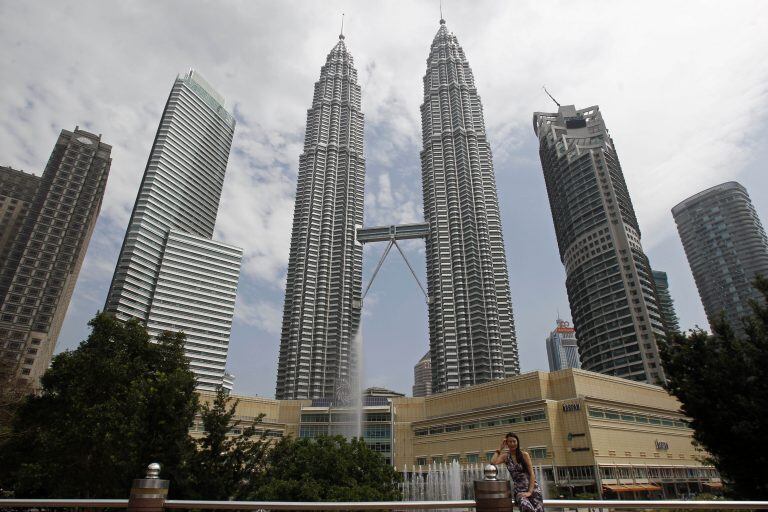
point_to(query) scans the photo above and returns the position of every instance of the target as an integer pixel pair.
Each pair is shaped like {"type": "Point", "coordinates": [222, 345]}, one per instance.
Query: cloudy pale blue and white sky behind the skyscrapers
{"type": "Point", "coordinates": [682, 85]}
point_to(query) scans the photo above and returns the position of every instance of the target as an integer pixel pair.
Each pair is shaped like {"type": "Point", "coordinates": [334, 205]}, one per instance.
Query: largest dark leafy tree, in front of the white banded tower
{"type": "Point", "coordinates": [105, 410]}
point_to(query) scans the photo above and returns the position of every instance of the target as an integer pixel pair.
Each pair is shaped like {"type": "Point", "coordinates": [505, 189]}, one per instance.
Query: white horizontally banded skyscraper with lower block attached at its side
{"type": "Point", "coordinates": [170, 274]}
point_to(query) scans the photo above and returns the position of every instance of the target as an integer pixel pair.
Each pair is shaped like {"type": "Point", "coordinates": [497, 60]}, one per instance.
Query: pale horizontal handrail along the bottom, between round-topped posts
{"type": "Point", "coordinates": [386, 505]}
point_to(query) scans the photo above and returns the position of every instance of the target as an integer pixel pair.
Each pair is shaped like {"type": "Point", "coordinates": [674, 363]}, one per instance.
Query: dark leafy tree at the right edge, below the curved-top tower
{"type": "Point", "coordinates": [722, 384]}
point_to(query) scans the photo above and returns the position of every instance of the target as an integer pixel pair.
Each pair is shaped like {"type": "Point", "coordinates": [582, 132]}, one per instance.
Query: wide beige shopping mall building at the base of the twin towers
{"type": "Point", "coordinates": [589, 433]}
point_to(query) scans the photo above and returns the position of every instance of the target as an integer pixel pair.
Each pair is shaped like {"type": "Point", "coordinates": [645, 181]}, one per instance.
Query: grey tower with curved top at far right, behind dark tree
{"type": "Point", "coordinates": [726, 248]}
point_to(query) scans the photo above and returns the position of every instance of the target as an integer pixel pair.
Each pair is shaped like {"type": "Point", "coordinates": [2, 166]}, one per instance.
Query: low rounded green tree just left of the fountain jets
{"type": "Point", "coordinates": [326, 469]}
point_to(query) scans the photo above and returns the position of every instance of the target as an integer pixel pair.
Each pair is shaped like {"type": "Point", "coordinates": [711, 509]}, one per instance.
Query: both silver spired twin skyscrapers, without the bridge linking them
{"type": "Point", "coordinates": [471, 325]}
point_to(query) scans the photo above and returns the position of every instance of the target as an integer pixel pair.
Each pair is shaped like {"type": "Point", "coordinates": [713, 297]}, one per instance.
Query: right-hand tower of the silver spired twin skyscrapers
{"type": "Point", "coordinates": [471, 327]}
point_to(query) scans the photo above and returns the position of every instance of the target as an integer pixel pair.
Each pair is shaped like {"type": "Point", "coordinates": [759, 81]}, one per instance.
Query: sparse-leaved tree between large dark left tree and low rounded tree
{"type": "Point", "coordinates": [225, 465]}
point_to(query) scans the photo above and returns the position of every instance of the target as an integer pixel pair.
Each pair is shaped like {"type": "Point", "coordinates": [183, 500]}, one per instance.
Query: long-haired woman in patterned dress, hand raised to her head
{"type": "Point", "coordinates": [527, 492]}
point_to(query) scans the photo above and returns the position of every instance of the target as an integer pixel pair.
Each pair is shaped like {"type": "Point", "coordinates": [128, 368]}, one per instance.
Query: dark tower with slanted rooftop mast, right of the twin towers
{"type": "Point", "coordinates": [610, 287]}
